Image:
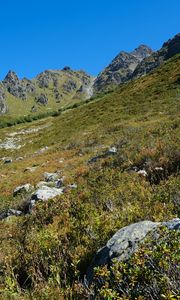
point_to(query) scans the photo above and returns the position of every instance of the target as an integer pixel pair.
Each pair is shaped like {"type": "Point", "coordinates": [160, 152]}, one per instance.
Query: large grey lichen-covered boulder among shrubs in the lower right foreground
{"type": "Point", "coordinates": [125, 242]}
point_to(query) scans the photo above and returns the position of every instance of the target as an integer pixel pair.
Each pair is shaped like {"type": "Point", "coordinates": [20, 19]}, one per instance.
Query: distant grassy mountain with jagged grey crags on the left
{"type": "Point", "coordinates": [49, 90]}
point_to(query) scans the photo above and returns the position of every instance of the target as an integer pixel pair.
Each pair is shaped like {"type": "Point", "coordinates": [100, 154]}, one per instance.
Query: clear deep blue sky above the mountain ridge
{"type": "Point", "coordinates": [38, 34]}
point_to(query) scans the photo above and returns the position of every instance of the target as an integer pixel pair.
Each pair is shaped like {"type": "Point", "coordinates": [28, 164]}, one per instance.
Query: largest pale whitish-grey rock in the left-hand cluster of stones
{"type": "Point", "coordinates": [45, 193]}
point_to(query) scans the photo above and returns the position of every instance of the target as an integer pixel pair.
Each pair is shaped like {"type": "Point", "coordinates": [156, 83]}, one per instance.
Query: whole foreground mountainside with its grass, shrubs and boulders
{"type": "Point", "coordinates": [90, 185]}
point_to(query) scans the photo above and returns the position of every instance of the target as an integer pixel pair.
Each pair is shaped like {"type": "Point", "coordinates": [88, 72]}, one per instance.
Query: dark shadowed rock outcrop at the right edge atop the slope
{"type": "Point", "coordinates": [168, 50]}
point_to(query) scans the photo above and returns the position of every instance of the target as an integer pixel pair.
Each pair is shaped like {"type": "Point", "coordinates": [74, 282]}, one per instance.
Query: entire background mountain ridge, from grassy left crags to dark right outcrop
{"type": "Point", "coordinates": [52, 90]}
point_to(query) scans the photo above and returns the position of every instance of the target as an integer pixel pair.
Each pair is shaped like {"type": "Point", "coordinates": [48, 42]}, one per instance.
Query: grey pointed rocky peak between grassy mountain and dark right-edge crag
{"type": "Point", "coordinates": [121, 68]}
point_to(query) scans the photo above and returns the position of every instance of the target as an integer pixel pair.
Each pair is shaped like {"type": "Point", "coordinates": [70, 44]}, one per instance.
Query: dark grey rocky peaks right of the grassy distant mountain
{"type": "Point", "coordinates": [127, 66]}
